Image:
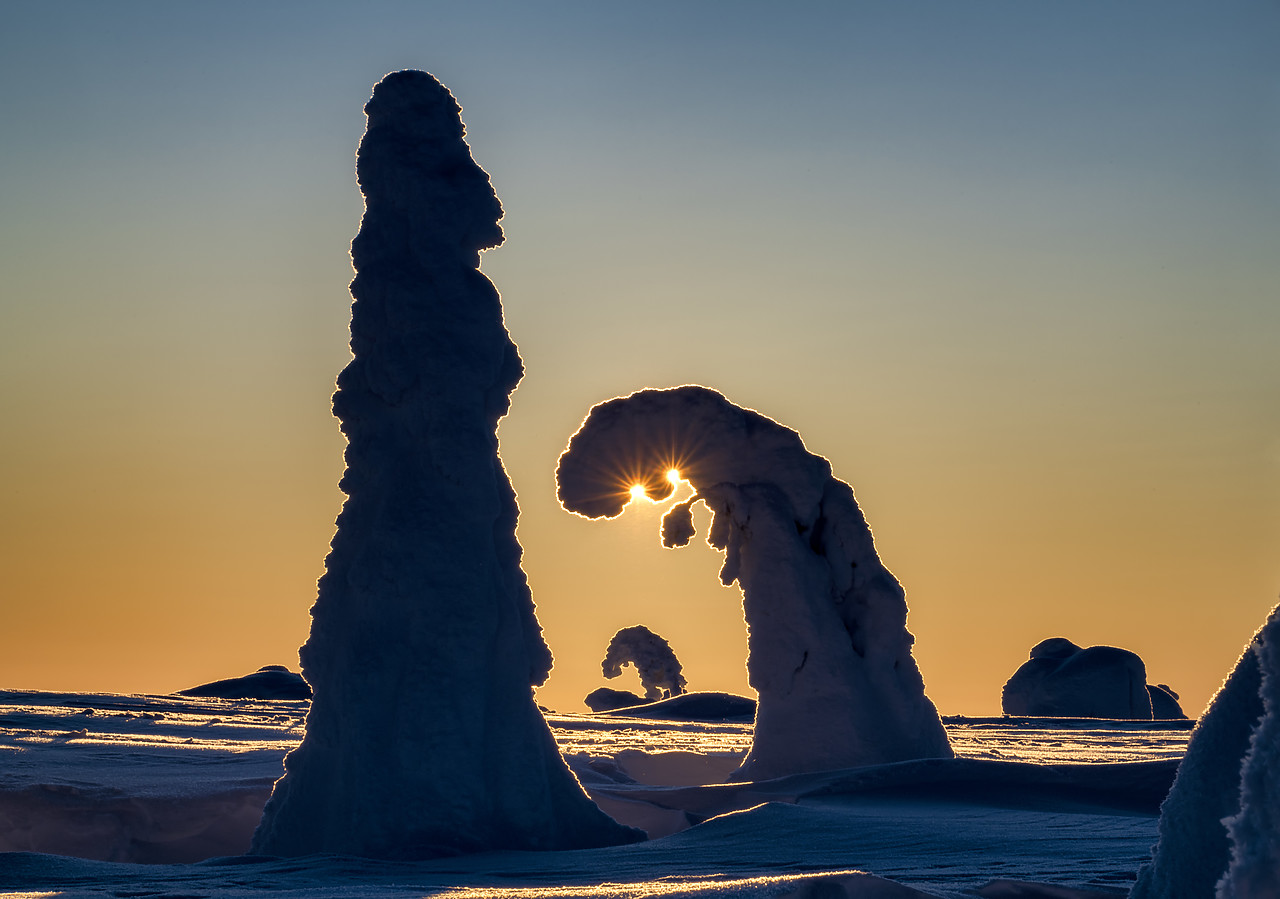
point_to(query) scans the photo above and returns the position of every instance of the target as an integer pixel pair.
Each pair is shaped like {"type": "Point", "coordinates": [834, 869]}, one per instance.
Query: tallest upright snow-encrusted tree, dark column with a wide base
{"type": "Point", "coordinates": [423, 737]}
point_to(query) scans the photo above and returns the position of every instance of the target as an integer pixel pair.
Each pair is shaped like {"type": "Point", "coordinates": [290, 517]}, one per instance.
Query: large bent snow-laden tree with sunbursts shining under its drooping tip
{"type": "Point", "coordinates": [830, 655]}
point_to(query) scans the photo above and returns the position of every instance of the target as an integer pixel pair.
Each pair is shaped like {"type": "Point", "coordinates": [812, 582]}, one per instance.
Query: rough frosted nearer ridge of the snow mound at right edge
{"type": "Point", "coordinates": [1255, 830]}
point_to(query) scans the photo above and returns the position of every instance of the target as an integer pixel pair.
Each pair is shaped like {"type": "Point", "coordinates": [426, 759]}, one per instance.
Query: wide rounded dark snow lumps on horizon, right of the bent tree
{"type": "Point", "coordinates": [1064, 681]}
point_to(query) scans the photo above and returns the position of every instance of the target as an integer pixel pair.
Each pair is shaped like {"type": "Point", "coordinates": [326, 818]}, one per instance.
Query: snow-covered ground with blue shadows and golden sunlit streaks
{"type": "Point", "coordinates": [113, 796]}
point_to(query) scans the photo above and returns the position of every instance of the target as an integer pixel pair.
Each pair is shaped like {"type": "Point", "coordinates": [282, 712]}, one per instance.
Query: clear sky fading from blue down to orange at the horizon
{"type": "Point", "coordinates": [1012, 267]}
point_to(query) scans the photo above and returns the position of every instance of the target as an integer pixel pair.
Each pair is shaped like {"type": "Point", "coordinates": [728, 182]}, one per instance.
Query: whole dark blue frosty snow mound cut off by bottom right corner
{"type": "Point", "coordinates": [1220, 824]}
